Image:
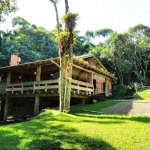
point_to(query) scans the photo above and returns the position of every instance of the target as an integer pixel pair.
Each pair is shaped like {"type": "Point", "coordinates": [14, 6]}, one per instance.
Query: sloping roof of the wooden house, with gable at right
{"type": "Point", "coordinates": [101, 69]}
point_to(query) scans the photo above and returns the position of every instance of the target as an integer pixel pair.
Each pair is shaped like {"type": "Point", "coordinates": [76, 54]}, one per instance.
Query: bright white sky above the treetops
{"type": "Point", "coordinates": [117, 15]}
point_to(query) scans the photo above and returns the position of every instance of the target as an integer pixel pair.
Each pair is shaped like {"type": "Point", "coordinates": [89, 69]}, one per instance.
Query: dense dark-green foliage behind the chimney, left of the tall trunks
{"type": "Point", "coordinates": [30, 42]}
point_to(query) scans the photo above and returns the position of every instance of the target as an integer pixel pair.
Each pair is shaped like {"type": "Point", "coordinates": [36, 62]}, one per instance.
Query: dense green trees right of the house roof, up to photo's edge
{"type": "Point", "coordinates": [127, 55]}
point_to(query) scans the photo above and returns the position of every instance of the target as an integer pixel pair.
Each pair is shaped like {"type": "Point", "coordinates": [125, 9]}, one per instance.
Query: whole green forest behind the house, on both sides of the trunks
{"type": "Point", "coordinates": [126, 55]}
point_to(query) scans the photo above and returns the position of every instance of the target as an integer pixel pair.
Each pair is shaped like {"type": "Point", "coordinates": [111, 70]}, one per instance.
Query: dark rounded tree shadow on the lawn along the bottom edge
{"type": "Point", "coordinates": [71, 141]}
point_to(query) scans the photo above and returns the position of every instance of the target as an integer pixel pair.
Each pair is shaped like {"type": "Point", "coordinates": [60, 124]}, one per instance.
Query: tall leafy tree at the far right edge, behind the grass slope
{"type": "Point", "coordinates": [140, 35]}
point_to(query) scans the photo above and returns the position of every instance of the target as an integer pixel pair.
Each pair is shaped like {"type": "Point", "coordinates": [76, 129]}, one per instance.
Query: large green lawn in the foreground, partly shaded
{"type": "Point", "coordinates": [78, 130]}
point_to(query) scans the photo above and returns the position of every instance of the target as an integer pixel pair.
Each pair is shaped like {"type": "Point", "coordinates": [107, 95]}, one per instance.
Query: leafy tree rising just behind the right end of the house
{"type": "Point", "coordinates": [115, 53]}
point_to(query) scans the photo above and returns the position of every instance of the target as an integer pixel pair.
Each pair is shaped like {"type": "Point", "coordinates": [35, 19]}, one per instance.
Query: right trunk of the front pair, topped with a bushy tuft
{"type": "Point", "coordinates": [70, 22]}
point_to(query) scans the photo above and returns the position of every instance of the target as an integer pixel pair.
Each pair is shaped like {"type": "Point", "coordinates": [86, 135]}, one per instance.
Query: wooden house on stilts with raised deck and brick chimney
{"type": "Point", "coordinates": [33, 86]}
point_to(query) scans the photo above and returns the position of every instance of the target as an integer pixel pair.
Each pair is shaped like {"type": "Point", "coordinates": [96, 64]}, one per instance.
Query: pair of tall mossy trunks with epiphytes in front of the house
{"type": "Point", "coordinates": [66, 40]}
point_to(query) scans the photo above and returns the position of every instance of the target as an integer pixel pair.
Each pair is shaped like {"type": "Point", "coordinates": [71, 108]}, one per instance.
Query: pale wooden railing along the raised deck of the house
{"type": "Point", "coordinates": [49, 86]}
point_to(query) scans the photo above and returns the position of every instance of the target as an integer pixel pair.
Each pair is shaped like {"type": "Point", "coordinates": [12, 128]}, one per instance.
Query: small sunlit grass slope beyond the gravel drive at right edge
{"type": "Point", "coordinates": [143, 95]}
